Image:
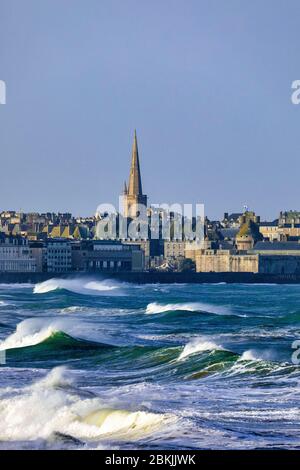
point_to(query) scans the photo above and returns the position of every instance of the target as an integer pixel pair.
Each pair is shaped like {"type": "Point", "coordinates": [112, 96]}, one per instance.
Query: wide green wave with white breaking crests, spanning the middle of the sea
{"type": "Point", "coordinates": [55, 342]}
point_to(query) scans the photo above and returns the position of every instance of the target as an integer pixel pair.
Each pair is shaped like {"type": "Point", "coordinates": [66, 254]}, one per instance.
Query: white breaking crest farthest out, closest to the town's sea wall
{"type": "Point", "coordinates": [81, 286]}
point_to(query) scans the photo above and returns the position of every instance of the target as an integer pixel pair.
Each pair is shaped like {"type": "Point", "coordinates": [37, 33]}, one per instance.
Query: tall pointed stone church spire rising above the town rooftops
{"type": "Point", "coordinates": [133, 194]}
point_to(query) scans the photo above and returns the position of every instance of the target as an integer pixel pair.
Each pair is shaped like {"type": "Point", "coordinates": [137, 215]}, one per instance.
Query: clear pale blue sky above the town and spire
{"type": "Point", "coordinates": [207, 84]}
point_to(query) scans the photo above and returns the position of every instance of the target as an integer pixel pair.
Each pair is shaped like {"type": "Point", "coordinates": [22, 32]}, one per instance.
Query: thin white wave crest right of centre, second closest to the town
{"type": "Point", "coordinates": [155, 307]}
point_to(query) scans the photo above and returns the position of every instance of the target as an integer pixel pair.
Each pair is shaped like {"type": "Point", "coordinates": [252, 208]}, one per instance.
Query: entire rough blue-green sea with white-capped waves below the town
{"type": "Point", "coordinates": [101, 364]}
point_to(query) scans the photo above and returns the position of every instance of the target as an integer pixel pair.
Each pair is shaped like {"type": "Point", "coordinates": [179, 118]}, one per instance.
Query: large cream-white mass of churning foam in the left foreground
{"type": "Point", "coordinates": [49, 407]}
